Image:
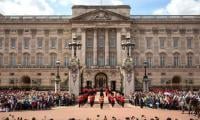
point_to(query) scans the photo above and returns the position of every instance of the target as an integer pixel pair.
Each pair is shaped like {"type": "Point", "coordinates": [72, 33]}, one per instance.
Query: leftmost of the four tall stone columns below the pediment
{"type": "Point", "coordinates": [83, 41]}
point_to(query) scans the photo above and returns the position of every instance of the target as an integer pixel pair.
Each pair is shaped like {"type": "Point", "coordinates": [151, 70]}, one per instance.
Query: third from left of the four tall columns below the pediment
{"type": "Point", "coordinates": [106, 48]}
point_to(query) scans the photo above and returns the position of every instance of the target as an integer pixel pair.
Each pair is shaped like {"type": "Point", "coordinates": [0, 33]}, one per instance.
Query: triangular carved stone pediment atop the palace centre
{"type": "Point", "coordinates": [100, 15]}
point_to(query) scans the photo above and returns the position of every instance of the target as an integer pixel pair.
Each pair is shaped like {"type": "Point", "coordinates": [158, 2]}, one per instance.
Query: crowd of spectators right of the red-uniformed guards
{"type": "Point", "coordinates": [176, 100]}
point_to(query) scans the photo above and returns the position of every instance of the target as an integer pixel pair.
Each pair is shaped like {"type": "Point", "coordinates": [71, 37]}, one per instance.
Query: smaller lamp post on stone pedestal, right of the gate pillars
{"type": "Point", "coordinates": [145, 78]}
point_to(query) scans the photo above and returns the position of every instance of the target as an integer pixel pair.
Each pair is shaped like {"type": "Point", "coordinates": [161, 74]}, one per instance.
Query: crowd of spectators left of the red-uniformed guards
{"type": "Point", "coordinates": [12, 100]}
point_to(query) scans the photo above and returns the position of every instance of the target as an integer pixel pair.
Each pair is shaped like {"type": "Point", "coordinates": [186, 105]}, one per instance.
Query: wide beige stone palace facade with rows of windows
{"type": "Point", "coordinates": [31, 45]}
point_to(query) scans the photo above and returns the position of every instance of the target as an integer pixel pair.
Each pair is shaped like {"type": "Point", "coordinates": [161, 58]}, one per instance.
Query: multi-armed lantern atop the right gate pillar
{"type": "Point", "coordinates": [127, 45]}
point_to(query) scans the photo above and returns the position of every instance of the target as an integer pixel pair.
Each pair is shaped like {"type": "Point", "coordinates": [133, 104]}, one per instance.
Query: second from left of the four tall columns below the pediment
{"type": "Point", "coordinates": [95, 48]}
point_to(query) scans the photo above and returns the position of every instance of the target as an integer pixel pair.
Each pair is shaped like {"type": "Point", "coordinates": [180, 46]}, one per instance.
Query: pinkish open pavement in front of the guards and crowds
{"type": "Point", "coordinates": [64, 113]}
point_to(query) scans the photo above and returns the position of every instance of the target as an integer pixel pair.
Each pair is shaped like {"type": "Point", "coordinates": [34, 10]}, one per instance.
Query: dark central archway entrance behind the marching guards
{"type": "Point", "coordinates": [101, 81]}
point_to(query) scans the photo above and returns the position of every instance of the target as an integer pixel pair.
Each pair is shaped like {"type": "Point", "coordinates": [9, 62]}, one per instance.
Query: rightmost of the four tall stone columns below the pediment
{"type": "Point", "coordinates": [119, 58]}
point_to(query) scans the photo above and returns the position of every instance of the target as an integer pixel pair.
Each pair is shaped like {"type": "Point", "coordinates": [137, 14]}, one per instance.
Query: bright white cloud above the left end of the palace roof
{"type": "Point", "coordinates": [25, 7]}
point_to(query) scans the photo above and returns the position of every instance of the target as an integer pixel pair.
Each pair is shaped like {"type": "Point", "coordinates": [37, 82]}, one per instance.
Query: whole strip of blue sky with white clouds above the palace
{"type": "Point", "coordinates": [63, 7]}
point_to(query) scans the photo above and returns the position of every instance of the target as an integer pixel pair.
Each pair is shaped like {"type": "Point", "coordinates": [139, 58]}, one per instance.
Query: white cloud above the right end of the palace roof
{"type": "Point", "coordinates": [180, 7]}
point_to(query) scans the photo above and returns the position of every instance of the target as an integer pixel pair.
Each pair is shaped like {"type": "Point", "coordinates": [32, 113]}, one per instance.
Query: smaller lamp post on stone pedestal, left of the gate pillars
{"type": "Point", "coordinates": [57, 79]}
